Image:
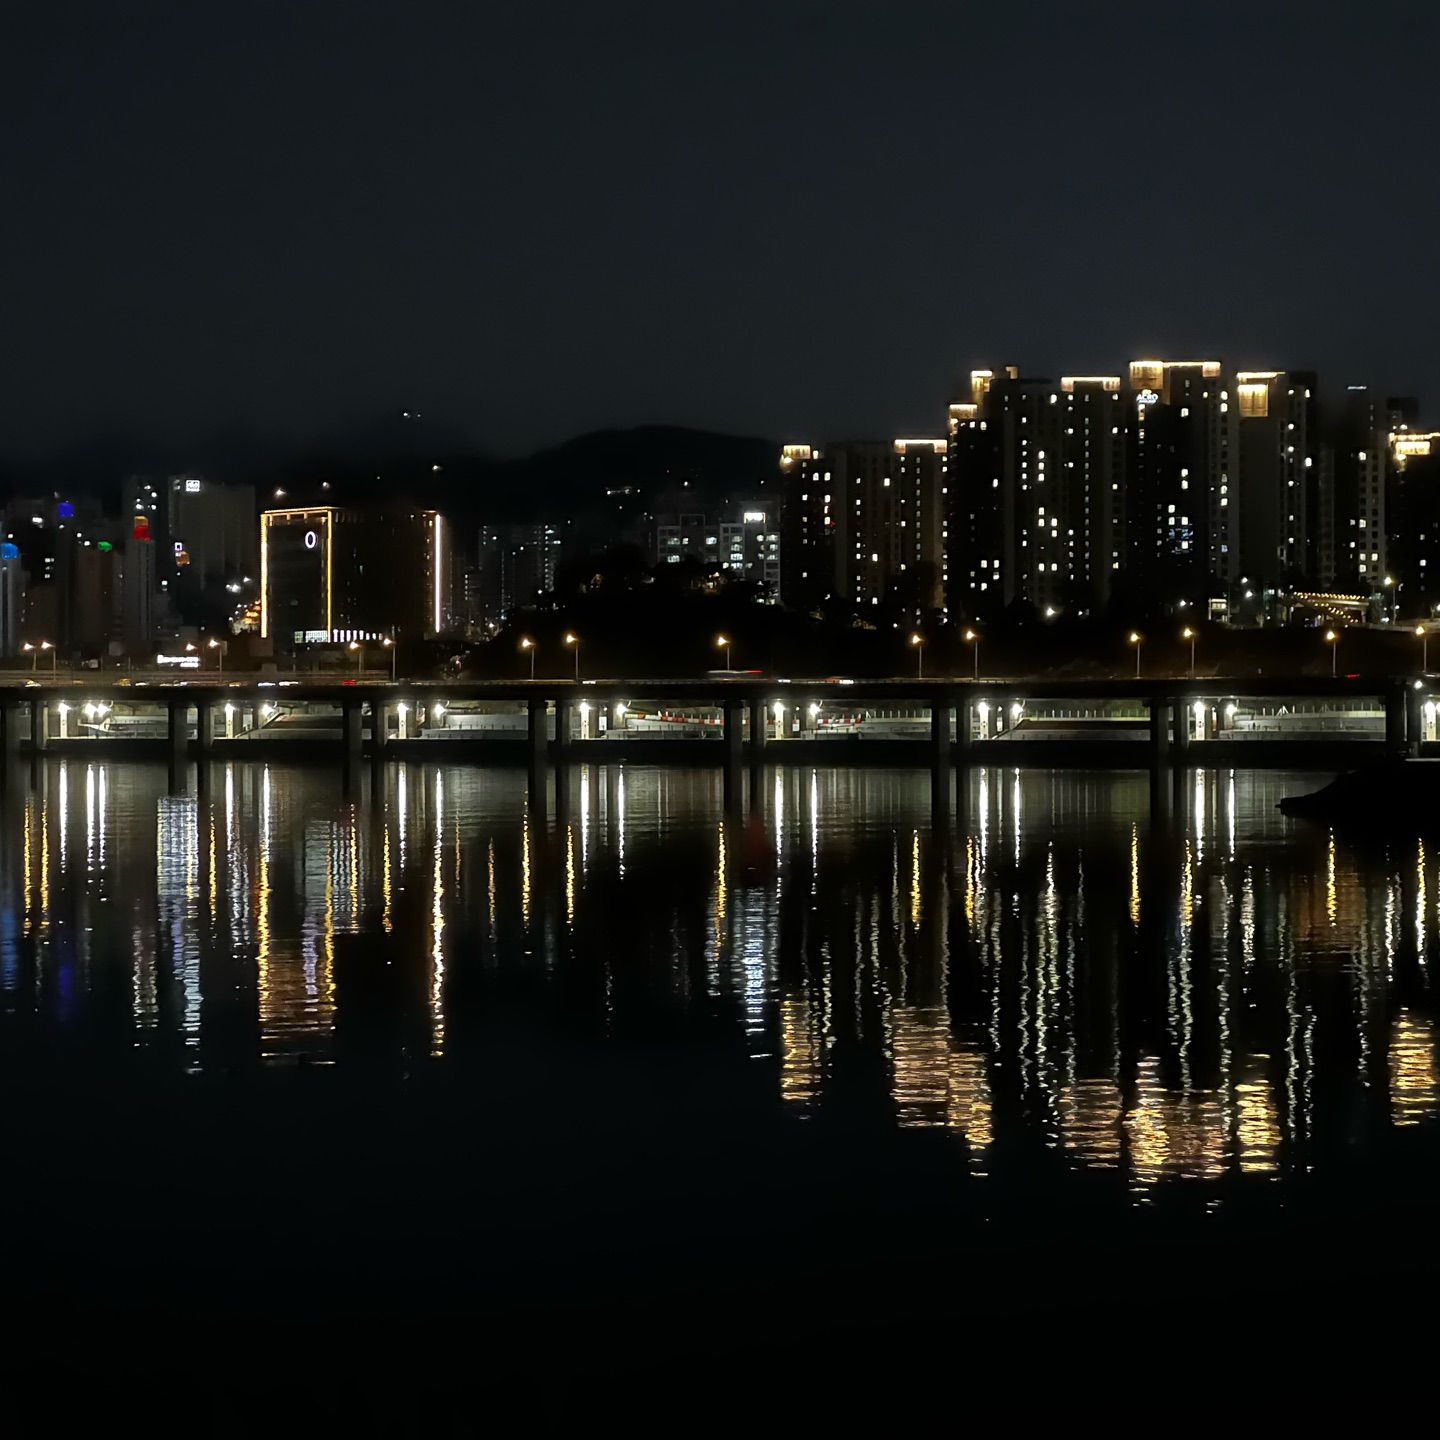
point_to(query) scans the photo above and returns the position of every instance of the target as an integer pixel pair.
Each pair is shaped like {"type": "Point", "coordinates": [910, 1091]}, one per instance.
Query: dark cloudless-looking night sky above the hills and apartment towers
{"type": "Point", "coordinates": [528, 221]}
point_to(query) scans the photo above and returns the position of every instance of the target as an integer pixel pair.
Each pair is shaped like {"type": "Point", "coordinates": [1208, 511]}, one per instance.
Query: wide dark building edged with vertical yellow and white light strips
{"type": "Point", "coordinates": [332, 575]}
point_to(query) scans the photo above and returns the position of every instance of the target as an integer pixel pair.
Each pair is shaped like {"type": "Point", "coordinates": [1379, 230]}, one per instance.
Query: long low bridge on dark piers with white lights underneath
{"type": "Point", "coordinates": [1210, 721]}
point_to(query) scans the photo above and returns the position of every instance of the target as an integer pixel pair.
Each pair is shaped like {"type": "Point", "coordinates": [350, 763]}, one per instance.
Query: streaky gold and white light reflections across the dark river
{"type": "Point", "coordinates": [1194, 994]}
